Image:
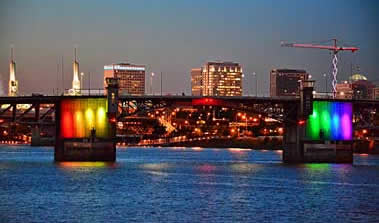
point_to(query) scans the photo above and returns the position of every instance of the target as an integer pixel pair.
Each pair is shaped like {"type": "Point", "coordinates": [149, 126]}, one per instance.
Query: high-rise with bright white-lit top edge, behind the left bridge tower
{"type": "Point", "coordinates": [131, 77]}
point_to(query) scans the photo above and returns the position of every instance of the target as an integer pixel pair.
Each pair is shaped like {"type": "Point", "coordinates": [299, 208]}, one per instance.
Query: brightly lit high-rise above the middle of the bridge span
{"type": "Point", "coordinates": [217, 79]}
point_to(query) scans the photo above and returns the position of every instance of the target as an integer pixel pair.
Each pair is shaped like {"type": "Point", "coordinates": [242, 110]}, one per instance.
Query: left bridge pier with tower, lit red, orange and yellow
{"type": "Point", "coordinates": [86, 127]}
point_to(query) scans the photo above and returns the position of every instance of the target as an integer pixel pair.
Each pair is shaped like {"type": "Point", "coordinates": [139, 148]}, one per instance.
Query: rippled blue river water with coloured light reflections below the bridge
{"type": "Point", "coordinates": [185, 185]}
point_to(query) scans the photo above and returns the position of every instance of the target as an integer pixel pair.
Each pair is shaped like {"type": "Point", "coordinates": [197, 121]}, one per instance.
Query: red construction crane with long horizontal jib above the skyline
{"type": "Point", "coordinates": [334, 48]}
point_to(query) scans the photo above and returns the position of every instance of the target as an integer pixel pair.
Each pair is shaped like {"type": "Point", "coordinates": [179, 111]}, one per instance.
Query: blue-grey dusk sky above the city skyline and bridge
{"type": "Point", "coordinates": [174, 36]}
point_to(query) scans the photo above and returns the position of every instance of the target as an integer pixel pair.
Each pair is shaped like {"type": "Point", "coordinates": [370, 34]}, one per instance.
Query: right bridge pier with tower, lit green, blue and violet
{"type": "Point", "coordinates": [323, 131]}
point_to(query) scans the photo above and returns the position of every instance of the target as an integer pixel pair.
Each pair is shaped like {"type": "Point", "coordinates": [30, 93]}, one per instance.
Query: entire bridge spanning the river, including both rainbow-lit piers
{"type": "Point", "coordinates": [315, 130]}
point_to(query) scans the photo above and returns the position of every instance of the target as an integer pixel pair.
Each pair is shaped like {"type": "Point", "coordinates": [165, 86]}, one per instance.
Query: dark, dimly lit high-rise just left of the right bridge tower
{"type": "Point", "coordinates": [286, 82]}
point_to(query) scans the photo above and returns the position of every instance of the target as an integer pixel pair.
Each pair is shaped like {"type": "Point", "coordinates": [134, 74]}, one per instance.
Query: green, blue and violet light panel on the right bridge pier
{"type": "Point", "coordinates": [332, 119]}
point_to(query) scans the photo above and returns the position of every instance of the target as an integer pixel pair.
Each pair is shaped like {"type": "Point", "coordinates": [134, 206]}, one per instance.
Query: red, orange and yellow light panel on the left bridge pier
{"type": "Point", "coordinates": [79, 116]}
